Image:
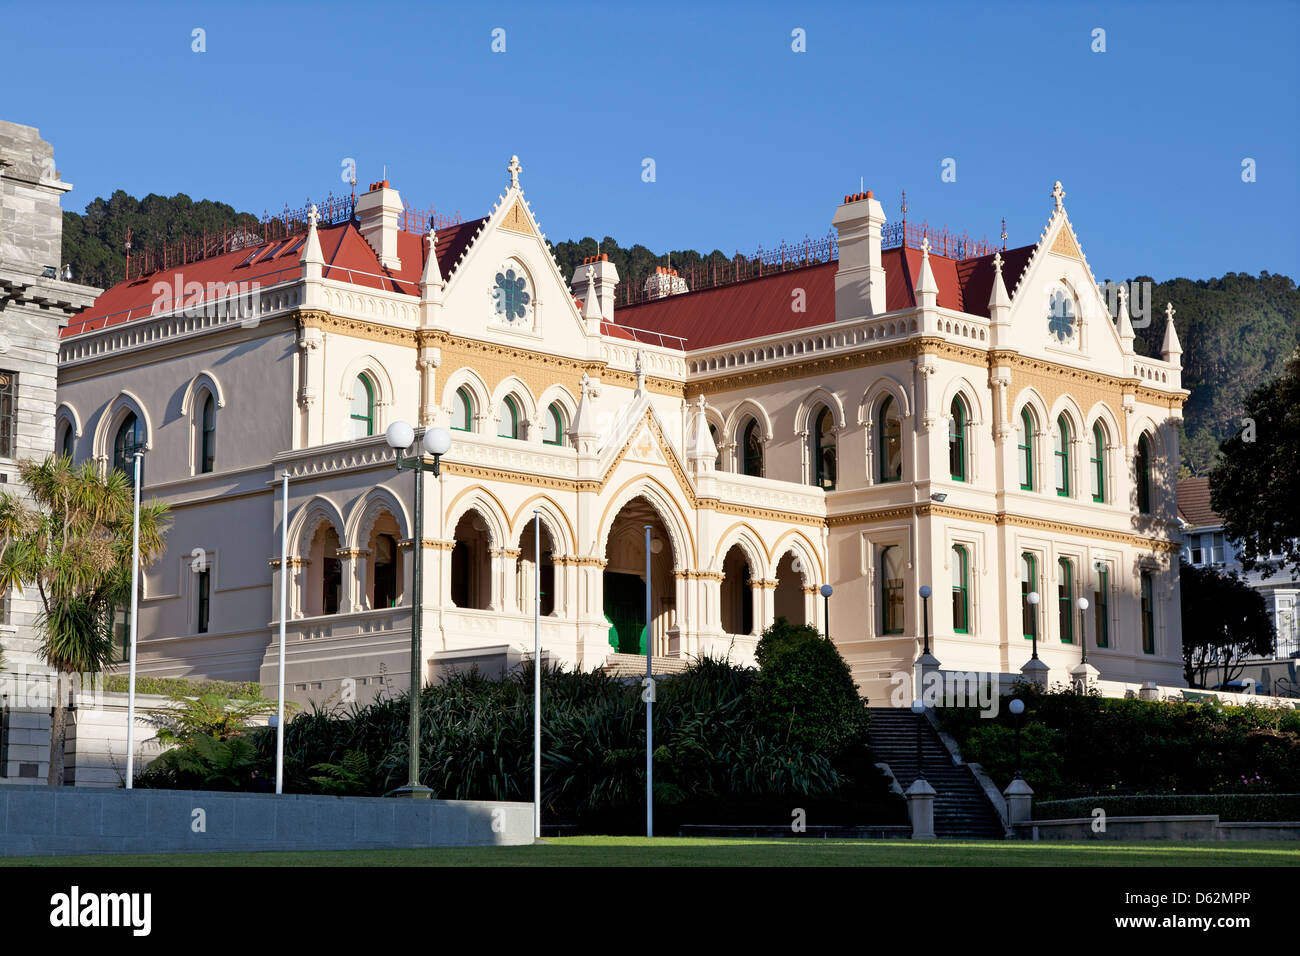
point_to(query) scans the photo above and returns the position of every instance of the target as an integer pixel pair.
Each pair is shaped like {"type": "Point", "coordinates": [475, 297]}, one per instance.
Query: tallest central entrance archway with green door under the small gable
{"type": "Point", "coordinates": [626, 582]}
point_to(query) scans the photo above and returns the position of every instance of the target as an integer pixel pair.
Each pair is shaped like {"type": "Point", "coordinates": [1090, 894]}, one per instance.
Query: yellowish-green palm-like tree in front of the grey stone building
{"type": "Point", "coordinates": [72, 540]}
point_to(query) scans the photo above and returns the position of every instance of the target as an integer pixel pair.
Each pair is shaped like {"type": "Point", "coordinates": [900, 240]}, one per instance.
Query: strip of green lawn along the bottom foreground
{"type": "Point", "coordinates": [670, 851]}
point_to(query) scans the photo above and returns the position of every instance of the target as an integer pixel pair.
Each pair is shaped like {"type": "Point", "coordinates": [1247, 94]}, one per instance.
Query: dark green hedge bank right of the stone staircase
{"type": "Point", "coordinates": [1078, 746]}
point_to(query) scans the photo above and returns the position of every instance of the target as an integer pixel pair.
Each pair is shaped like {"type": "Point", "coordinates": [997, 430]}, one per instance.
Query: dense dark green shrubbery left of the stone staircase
{"type": "Point", "coordinates": [716, 763]}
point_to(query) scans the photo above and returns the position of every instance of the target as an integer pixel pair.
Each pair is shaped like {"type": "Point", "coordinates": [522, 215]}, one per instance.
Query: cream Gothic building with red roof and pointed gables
{"type": "Point", "coordinates": [881, 419]}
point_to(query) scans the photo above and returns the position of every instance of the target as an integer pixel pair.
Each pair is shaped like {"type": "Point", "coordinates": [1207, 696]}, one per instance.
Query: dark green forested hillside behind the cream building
{"type": "Point", "coordinates": [1237, 331]}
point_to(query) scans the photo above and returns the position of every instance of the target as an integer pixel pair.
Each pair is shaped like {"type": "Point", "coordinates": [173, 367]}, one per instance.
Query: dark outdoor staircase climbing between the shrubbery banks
{"type": "Point", "coordinates": [961, 807]}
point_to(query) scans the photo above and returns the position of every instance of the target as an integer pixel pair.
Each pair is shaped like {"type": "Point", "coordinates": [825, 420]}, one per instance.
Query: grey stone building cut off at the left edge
{"type": "Point", "coordinates": [37, 299]}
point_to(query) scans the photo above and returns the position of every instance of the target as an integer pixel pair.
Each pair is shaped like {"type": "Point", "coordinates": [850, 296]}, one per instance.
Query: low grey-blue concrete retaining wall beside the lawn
{"type": "Point", "coordinates": [42, 821]}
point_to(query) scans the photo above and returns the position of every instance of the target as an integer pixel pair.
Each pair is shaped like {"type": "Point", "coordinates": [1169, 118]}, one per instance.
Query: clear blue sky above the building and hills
{"type": "Point", "coordinates": [753, 144]}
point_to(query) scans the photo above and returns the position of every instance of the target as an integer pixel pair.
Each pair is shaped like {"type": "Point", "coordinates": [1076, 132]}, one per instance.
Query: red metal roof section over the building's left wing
{"type": "Point", "coordinates": [349, 258]}
